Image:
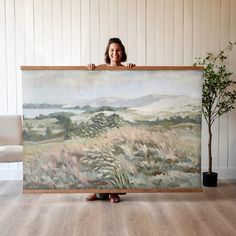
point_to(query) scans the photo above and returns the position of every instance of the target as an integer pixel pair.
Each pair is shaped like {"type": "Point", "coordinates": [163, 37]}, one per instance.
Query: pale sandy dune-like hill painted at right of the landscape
{"type": "Point", "coordinates": [161, 107]}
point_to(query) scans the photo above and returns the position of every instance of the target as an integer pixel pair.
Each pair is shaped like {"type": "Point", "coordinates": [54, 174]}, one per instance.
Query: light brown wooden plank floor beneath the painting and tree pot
{"type": "Point", "coordinates": [211, 212]}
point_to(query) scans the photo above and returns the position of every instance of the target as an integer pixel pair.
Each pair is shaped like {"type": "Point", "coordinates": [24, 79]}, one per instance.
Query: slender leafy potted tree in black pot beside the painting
{"type": "Point", "coordinates": [218, 98]}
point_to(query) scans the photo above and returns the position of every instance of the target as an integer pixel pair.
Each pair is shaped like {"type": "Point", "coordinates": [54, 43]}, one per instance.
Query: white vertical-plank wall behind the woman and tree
{"type": "Point", "coordinates": [155, 32]}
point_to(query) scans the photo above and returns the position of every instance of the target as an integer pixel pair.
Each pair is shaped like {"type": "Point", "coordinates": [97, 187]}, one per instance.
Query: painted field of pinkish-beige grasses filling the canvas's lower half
{"type": "Point", "coordinates": [127, 157]}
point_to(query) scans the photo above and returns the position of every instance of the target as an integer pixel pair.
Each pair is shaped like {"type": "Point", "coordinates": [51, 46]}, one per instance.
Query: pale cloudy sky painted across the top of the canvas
{"type": "Point", "coordinates": [62, 87]}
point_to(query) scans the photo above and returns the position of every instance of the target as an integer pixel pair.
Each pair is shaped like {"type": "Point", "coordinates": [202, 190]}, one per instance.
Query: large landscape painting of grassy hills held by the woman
{"type": "Point", "coordinates": [112, 129]}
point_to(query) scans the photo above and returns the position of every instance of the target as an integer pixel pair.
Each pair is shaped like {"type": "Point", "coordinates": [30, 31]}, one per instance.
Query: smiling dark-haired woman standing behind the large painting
{"type": "Point", "coordinates": [114, 55]}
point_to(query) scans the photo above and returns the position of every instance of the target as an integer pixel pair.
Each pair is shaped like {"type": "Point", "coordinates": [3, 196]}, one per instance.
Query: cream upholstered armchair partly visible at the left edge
{"type": "Point", "coordinates": [11, 148]}
